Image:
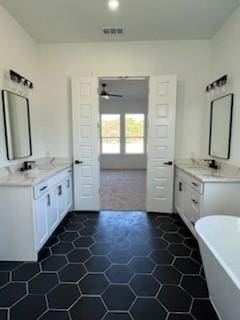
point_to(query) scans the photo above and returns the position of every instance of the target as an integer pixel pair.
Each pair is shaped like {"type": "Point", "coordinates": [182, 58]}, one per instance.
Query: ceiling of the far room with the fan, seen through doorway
{"type": "Point", "coordinates": [131, 89]}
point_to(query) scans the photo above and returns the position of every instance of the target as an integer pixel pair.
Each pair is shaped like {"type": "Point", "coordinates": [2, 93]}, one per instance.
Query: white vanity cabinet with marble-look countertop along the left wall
{"type": "Point", "coordinates": [33, 203]}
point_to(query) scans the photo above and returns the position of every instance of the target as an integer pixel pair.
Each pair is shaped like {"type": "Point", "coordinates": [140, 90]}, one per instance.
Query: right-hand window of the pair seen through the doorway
{"type": "Point", "coordinates": [134, 133]}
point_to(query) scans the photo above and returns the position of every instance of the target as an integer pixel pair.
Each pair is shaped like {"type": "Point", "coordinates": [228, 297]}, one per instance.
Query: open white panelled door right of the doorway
{"type": "Point", "coordinates": [161, 143]}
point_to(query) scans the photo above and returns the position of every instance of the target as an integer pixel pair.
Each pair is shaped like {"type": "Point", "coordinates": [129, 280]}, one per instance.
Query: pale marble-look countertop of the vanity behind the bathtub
{"type": "Point", "coordinates": [206, 174]}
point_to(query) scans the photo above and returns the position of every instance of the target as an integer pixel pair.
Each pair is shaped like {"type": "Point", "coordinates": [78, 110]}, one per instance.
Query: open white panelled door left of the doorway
{"type": "Point", "coordinates": [85, 112]}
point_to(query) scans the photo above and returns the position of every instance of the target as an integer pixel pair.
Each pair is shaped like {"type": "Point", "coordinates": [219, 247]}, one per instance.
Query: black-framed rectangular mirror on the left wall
{"type": "Point", "coordinates": [17, 125]}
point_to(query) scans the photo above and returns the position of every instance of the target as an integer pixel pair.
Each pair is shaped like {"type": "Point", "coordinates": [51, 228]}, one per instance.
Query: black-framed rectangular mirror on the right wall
{"type": "Point", "coordinates": [221, 127]}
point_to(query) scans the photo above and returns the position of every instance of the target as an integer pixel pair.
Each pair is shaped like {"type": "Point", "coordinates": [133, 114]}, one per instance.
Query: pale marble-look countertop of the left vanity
{"type": "Point", "coordinates": [34, 176]}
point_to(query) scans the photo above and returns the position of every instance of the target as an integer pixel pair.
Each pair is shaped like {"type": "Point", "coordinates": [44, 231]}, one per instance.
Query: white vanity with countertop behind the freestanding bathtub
{"type": "Point", "coordinates": [201, 191]}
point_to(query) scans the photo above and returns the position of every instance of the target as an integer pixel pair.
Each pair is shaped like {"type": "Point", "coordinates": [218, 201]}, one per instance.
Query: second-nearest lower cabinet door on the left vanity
{"type": "Point", "coordinates": [52, 213]}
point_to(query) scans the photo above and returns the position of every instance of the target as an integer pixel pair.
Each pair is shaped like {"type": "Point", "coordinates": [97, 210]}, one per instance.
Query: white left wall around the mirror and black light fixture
{"type": "Point", "coordinates": [20, 53]}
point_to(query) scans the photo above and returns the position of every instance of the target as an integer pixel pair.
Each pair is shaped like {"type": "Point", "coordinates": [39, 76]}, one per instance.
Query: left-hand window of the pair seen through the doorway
{"type": "Point", "coordinates": [110, 133]}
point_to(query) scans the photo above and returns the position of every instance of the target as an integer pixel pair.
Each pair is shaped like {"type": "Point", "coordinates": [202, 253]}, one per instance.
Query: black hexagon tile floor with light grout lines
{"type": "Point", "coordinates": [110, 266]}
